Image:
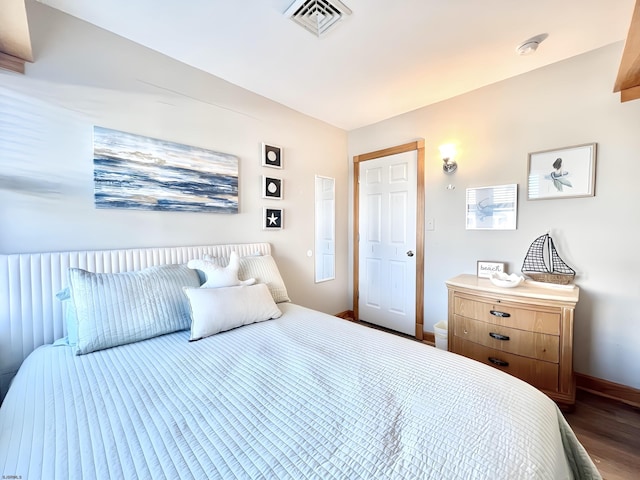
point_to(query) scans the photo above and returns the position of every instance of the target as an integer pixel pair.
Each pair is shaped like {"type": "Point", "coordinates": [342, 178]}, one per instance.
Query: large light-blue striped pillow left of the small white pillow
{"type": "Point", "coordinates": [118, 308]}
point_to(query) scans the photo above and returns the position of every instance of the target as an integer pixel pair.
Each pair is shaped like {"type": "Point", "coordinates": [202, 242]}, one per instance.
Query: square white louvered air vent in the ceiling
{"type": "Point", "coordinates": [317, 16]}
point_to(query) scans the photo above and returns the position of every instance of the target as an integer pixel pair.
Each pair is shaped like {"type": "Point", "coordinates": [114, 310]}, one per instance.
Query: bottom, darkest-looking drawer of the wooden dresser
{"type": "Point", "coordinates": [540, 374]}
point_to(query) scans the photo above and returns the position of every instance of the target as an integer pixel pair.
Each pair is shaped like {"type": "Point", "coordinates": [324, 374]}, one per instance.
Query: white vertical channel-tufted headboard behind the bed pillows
{"type": "Point", "coordinates": [30, 313]}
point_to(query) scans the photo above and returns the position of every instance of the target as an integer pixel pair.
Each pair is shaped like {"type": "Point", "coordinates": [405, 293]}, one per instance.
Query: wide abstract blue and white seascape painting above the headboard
{"type": "Point", "coordinates": [133, 171]}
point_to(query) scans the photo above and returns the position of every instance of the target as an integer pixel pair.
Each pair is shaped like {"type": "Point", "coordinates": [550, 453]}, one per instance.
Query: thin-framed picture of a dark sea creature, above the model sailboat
{"type": "Point", "coordinates": [562, 173]}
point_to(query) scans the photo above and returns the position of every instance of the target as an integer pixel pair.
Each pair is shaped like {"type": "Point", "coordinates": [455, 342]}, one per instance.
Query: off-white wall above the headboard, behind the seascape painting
{"type": "Point", "coordinates": [83, 76]}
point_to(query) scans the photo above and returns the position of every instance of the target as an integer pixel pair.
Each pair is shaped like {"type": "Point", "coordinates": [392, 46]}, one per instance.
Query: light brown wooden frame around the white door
{"type": "Point", "coordinates": [419, 294]}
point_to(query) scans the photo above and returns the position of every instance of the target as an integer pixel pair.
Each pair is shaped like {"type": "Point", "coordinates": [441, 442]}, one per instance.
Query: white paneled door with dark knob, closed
{"type": "Point", "coordinates": [387, 245]}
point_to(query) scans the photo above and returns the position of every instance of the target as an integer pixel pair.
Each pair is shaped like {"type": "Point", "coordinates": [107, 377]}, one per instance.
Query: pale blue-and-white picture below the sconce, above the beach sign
{"type": "Point", "coordinates": [492, 208]}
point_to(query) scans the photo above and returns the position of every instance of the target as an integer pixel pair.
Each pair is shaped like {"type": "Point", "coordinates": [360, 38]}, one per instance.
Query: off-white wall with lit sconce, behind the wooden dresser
{"type": "Point", "coordinates": [495, 127]}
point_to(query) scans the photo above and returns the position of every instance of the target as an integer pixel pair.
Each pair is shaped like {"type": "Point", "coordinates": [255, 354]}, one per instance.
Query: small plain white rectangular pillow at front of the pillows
{"type": "Point", "coordinates": [215, 310]}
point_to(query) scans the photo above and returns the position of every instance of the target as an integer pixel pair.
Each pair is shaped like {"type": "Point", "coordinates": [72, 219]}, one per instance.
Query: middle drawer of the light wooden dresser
{"type": "Point", "coordinates": [512, 340]}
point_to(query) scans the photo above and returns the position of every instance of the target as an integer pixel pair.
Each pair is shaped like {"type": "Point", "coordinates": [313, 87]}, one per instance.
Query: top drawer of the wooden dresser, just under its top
{"type": "Point", "coordinates": [538, 319]}
